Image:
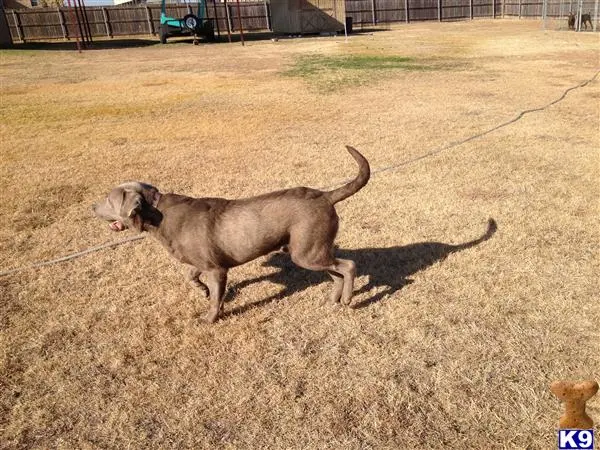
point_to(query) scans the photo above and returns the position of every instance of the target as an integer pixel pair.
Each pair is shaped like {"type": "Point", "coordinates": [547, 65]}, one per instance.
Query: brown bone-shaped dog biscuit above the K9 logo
{"type": "Point", "coordinates": [574, 395]}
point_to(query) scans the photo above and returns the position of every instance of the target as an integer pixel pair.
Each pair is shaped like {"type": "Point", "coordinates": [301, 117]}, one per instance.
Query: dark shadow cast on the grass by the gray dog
{"type": "Point", "coordinates": [385, 267]}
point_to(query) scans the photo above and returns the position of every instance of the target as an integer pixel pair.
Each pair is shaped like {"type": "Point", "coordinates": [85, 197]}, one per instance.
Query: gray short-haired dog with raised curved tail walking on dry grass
{"type": "Point", "coordinates": [212, 235]}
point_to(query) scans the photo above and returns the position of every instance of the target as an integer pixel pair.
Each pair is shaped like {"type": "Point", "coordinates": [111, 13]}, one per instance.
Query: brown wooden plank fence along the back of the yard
{"type": "Point", "coordinates": [111, 21]}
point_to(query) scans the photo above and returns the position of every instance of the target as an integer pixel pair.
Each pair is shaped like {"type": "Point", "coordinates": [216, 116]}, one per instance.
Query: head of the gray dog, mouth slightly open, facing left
{"type": "Point", "coordinates": [129, 205]}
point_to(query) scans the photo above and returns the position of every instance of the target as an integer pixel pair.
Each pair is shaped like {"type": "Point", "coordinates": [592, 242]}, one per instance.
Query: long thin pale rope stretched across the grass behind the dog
{"type": "Point", "coordinates": [373, 172]}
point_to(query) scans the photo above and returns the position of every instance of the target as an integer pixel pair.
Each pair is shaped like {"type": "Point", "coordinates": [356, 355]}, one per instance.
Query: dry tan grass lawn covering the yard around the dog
{"type": "Point", "coordinates": [446, 350]}
